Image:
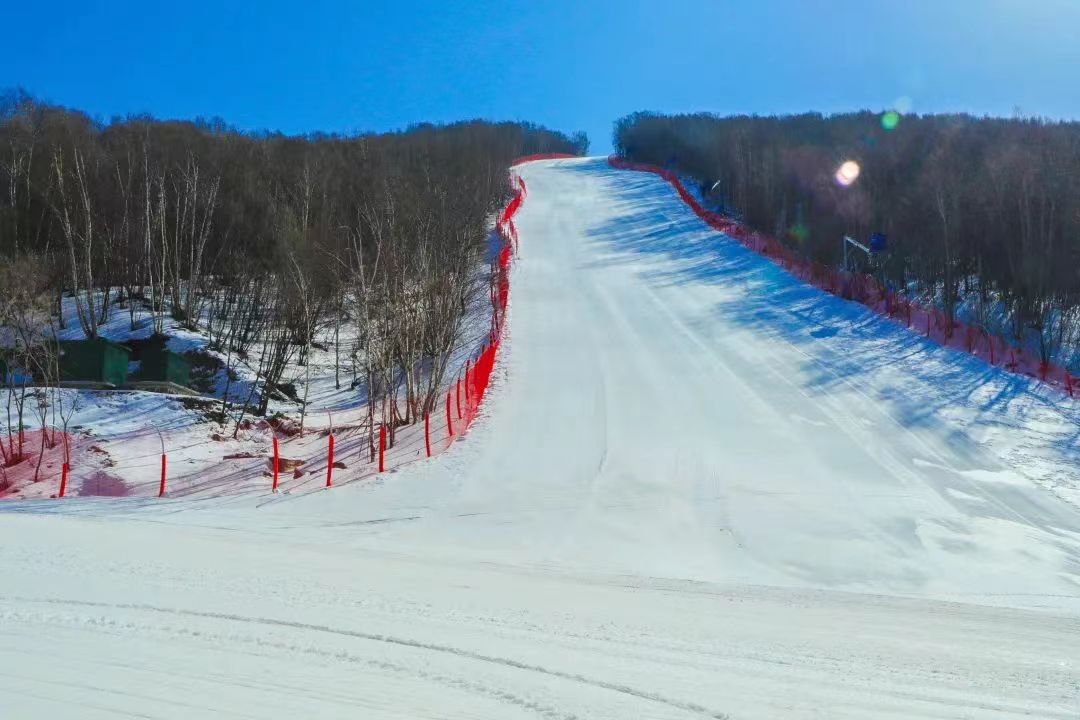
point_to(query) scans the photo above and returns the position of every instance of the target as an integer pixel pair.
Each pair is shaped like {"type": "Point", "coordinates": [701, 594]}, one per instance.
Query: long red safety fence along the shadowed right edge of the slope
{"type": "Point", "coordinates": [868, 291]}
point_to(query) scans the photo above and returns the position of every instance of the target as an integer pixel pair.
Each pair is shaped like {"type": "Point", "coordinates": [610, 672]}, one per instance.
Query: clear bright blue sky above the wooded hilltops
{"type": "Point", "coordinates": [572, 65]}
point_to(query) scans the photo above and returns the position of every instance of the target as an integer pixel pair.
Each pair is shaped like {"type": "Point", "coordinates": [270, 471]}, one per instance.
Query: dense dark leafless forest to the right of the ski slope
{"type": "Point", "coordinates": [983, 211]}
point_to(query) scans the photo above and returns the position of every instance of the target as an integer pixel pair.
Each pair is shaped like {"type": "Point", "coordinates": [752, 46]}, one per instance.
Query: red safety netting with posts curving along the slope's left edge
{"type": "Point", "coordinates": [321, 458]}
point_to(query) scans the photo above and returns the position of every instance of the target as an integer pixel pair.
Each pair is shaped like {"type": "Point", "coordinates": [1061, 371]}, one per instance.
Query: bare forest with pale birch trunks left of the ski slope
{"type": "Point", "coordinates": [254, 239]}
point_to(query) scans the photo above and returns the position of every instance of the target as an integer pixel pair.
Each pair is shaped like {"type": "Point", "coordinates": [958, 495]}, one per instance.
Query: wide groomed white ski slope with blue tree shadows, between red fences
{"type": "Point", "coordinates": [696, 490]}
